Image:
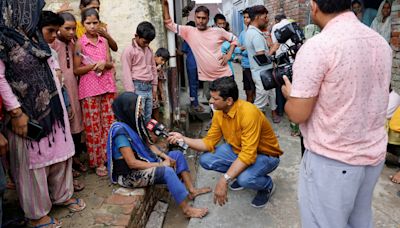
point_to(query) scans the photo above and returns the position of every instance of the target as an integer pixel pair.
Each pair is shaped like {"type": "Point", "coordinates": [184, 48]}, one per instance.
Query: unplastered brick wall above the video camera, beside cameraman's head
{"type": "Point", "coordinates": [294, 9]}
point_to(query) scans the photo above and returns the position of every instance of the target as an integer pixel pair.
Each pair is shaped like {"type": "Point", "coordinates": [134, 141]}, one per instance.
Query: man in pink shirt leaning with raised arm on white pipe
{"type": "Point", "coordinates": [206, 44]}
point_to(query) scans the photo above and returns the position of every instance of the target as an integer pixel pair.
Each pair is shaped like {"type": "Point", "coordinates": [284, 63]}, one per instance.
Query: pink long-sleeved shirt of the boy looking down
{"type": "Point", "coordinates": [138, 64]}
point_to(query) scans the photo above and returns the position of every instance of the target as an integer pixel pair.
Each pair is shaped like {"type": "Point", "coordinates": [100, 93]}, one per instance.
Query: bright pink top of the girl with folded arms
{"type": "Point", "coordinates": [91, 84]}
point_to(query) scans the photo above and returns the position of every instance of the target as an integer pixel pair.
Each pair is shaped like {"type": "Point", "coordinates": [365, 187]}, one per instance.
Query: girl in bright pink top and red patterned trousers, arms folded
{"type": "Point", "coordinates": [92, 62]}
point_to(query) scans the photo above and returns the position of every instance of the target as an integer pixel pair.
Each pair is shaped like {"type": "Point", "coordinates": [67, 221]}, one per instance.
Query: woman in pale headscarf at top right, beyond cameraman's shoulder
{"type": "Point", "coordinates": [383, 21]}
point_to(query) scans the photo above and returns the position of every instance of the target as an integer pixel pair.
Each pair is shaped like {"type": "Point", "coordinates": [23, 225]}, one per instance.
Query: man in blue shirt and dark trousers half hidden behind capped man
{"type": "Point", "coordinates": [248, 84]}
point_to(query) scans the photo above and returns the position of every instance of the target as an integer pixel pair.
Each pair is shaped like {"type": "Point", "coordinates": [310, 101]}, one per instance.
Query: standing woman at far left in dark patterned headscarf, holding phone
{"type": "Point", "coordinates": [42, 167]}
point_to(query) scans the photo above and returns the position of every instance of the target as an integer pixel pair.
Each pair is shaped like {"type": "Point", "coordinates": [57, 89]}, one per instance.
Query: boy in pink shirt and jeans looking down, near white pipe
{"type": "Point", "coordinates": [139, 67]}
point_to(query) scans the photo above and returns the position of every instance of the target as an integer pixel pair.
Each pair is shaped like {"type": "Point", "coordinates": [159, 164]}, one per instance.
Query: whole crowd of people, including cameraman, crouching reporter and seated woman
{"type": "Point", "coordinates": [59, 99]}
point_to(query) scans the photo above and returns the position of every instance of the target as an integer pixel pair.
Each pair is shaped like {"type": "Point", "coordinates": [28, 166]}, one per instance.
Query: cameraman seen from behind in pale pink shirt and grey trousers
{"type": "Point", "coordinates": [339, 96]}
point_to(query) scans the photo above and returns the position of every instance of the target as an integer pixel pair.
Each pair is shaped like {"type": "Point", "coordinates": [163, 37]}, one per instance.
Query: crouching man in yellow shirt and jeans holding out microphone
{"type": "Point", "coordinates": [250, 152]}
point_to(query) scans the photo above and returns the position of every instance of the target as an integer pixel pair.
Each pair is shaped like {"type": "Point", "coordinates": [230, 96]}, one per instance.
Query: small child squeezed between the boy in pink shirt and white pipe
{"type": "Point", "coordinates": [161, 57]}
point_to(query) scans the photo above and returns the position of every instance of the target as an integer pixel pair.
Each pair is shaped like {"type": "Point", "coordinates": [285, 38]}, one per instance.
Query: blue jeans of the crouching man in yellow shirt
{"type": "Point", "coordinates": [254, 177]}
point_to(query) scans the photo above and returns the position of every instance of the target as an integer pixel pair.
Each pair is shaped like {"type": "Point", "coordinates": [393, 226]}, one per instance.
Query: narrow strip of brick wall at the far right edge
{"type": "Point", "coordinates": [395, 42]}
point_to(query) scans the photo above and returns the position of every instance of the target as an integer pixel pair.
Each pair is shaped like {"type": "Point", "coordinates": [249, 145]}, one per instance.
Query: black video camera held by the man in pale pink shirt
{"type": "Point", "coordinates": [273, 78]}
